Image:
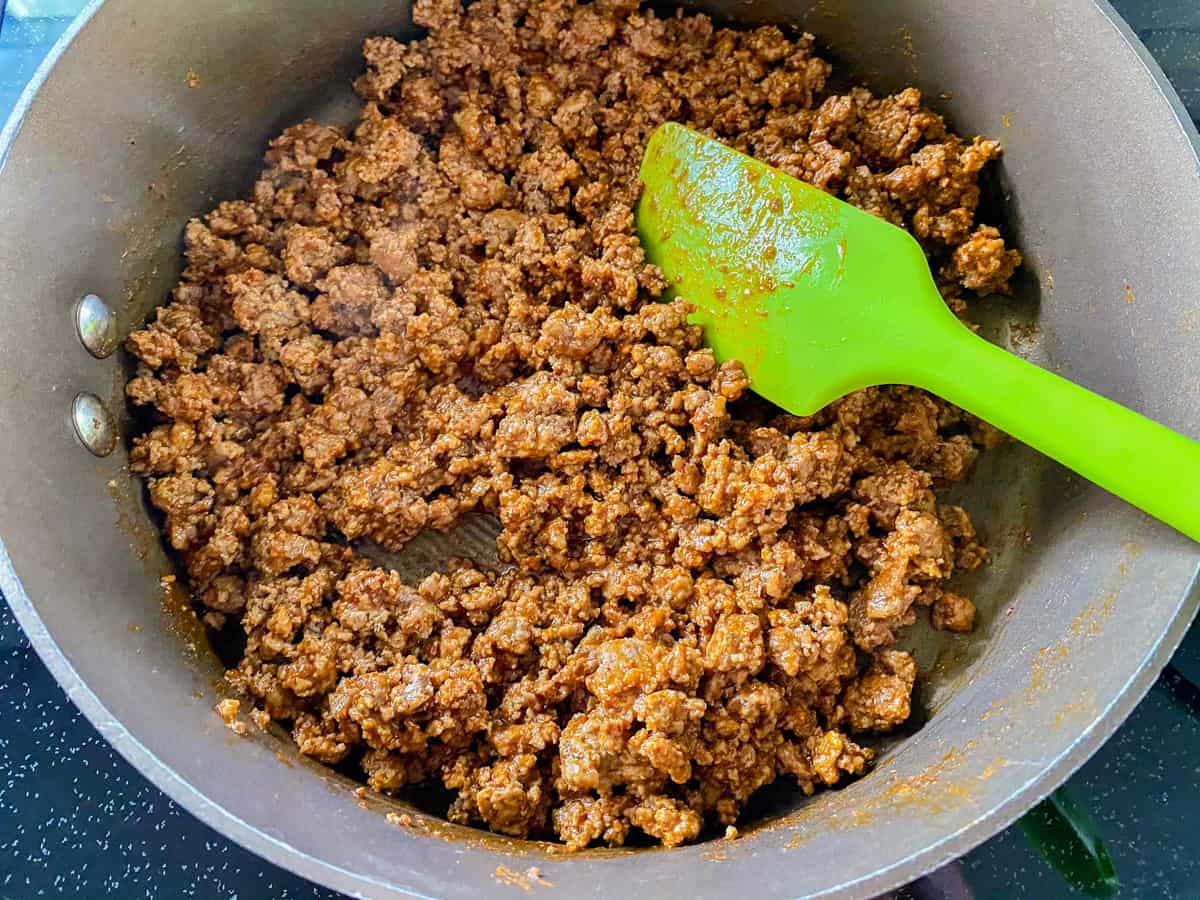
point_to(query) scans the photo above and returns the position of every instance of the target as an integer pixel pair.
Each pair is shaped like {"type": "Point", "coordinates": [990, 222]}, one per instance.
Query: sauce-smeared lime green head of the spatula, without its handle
{"type": "Point", "coordinates": [813, 296]}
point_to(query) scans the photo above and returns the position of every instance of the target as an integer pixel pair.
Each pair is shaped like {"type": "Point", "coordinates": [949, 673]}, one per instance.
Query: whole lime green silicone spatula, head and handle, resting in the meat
{"type": "Point", "coordinates": [819, 299]}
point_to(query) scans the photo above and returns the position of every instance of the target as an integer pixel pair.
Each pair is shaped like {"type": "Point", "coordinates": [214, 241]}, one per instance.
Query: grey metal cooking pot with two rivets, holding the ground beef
{"type": "Point", "coordinates": [152, 111]}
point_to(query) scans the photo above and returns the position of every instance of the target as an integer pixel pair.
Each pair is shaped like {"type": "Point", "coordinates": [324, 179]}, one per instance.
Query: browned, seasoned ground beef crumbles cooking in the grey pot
{"type": "Point", "coordinates": [448, 310]}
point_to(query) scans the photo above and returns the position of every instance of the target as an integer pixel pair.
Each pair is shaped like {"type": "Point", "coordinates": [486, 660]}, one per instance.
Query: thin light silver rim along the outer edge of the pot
{"type": "Point", "coordinates": [279, 853]}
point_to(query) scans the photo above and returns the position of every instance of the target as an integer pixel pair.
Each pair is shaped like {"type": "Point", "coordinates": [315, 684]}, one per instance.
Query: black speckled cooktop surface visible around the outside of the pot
{"type": "Point", "coordinates": [77, 821]}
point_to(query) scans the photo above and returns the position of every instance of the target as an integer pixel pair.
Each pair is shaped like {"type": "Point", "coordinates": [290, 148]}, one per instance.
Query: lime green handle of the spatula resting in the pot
{"type": "Point", "coordinates": [1141, 461]}
